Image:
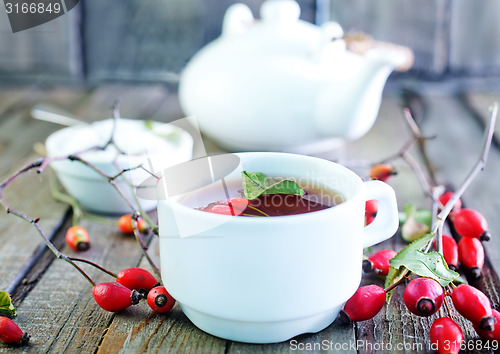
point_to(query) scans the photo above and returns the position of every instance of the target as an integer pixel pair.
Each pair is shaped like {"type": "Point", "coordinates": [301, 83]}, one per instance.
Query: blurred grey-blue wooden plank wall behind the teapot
{"type": "Point", "coordinates": [151, 41]}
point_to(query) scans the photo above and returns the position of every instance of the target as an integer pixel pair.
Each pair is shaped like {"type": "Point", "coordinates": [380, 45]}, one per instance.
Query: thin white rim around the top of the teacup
{"type": "Point", "coordinates": [200, 214]}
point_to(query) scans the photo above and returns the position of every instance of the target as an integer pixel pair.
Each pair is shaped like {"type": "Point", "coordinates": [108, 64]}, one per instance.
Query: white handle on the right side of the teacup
{"type": "Point", "coordinates": [386, 222]}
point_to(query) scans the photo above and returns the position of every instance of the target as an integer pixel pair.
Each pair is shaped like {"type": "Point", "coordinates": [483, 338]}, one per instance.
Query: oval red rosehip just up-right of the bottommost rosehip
{"type": "Point", "coordinates": [474, 306]}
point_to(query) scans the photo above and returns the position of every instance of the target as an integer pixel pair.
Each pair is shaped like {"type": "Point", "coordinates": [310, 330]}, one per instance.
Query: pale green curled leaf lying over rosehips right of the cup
{"type": "Point", "coordinates": [429, 265]}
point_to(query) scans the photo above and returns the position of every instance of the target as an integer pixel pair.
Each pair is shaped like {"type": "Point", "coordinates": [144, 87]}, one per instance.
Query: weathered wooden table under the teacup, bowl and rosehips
{"type": "Point", "coordinates": [55, 303]}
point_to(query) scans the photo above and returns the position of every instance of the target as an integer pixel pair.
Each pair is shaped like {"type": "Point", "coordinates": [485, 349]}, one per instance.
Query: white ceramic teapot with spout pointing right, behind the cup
{"type": "Point", "coordinates": [279, 82]}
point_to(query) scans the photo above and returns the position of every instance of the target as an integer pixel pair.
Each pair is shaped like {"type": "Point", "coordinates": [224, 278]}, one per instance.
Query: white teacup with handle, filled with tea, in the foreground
{"type": "Point", "coordinates": [264, 280]}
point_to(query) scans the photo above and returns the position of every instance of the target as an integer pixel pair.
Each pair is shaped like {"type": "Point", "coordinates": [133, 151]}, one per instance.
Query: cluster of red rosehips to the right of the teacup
{"type": "Point", "coordinates": [424, 296]}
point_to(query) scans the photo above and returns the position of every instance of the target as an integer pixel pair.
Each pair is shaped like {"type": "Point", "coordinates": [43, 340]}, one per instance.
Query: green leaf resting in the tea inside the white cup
{"type": "Point", "coordinates": [256, 184]}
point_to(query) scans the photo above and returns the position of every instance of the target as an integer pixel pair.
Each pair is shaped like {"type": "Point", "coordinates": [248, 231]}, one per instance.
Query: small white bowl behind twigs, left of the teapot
{"type": "Point", "coordinates": [162, 146]}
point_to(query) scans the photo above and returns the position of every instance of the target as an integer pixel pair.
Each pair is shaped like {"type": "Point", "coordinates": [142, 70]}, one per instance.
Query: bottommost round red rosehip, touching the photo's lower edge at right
{"type": "Point", "coordinates": [446, 336]}
